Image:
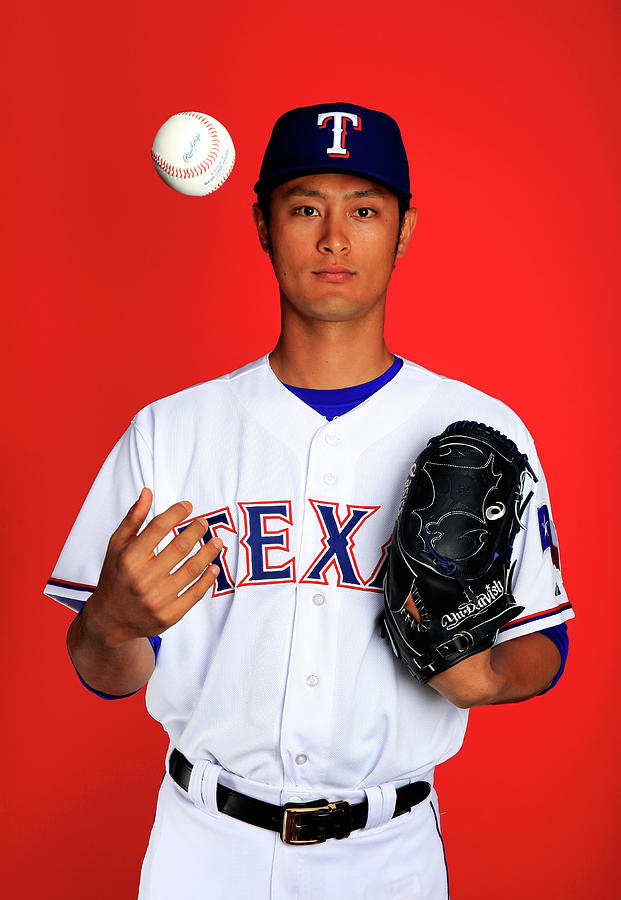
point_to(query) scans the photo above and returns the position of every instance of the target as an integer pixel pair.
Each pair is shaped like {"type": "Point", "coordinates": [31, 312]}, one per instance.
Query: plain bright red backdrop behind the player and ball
{"type": "Point", "coordinates": [119, 291]}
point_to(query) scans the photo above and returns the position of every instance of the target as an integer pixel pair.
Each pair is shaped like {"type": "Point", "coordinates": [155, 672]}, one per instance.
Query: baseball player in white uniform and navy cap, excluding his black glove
{"type": "Point", "coordinates": [233, 550]}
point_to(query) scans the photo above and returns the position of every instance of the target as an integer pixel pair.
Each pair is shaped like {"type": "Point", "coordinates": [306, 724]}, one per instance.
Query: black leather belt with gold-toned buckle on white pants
{"type": "Point", "coordinates": [298, 823]}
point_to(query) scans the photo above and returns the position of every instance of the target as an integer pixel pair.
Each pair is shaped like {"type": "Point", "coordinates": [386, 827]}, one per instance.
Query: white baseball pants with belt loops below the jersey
{"type": "Point", "coordinates": [197, 852]}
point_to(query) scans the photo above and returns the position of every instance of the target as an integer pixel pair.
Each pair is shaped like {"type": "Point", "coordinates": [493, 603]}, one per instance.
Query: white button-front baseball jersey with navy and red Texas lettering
{"type": "Point", "coordinates": [280, 674]}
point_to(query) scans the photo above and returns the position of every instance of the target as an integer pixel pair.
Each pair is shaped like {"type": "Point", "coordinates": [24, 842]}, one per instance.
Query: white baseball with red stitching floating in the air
{"type": "Point", "coordinates": [193, 153]}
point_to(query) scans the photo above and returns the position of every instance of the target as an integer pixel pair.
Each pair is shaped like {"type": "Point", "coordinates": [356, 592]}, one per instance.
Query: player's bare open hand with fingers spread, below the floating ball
{"type": "Point", "coordinates": [137, 596]}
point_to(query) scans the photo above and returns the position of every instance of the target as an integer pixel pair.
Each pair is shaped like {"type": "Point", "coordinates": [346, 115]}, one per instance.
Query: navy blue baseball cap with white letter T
{"type": "Point", "coordinates": [336, 137]}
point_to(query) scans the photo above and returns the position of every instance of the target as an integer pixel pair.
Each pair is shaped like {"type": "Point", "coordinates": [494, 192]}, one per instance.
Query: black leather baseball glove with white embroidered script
{"type": "Point", "coordinates": [451, 548]}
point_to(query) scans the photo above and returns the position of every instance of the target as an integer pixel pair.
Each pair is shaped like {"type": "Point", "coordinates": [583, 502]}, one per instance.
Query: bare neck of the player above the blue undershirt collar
{"type": "Point", "coordinates": [329, 355]}
